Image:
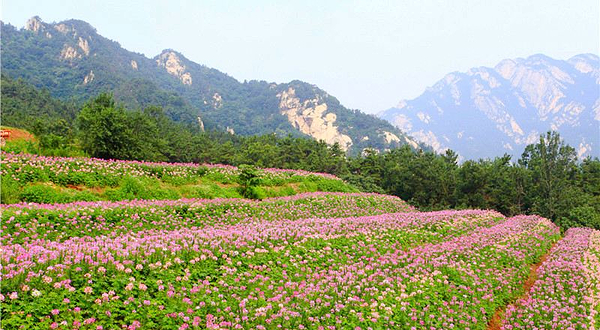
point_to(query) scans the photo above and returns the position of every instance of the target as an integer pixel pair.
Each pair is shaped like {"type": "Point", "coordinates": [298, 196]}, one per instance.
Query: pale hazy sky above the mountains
{"type": "Point", "coordinates": [369, 54]}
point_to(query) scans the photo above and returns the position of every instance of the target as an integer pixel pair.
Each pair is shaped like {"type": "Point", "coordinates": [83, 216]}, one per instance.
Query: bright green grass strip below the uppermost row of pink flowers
{"type": "Point", "coordinates": [41, 190]}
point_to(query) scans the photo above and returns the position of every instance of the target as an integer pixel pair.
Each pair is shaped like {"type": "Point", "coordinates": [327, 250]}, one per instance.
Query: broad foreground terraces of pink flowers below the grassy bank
{"type": "Point", "coordinates": [311, 261]}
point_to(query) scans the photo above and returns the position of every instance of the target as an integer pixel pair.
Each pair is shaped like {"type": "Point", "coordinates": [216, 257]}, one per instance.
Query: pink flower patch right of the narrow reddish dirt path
{"type": "Point", "coordinates": [567, 292]}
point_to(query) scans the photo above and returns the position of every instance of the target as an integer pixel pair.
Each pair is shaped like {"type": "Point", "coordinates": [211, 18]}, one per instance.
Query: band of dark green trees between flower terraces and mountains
{"type": "Point", "coordinates": [547, 179]}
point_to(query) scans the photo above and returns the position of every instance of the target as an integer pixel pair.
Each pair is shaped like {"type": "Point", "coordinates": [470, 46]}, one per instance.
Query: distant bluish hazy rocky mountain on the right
{"type": "Point", "coordinates": [486, 112]}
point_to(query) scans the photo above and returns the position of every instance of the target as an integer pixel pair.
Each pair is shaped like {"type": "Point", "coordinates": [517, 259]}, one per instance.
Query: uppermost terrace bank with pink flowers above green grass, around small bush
{"type": "Point", "coordinates": [42, 180]}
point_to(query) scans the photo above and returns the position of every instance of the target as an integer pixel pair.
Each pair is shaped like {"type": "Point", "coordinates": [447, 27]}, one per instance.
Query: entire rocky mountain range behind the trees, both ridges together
{"type": "Point", "coordinates": [484, 112]}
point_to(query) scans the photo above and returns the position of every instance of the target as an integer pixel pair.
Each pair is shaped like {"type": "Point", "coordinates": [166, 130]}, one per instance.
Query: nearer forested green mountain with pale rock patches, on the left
{"type": "Point", "coordinates": [73, 62]}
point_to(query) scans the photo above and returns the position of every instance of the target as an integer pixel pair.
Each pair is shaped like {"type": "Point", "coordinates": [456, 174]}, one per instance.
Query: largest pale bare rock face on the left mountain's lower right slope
{"type": "Point", "coordinates": [310, 118]}
